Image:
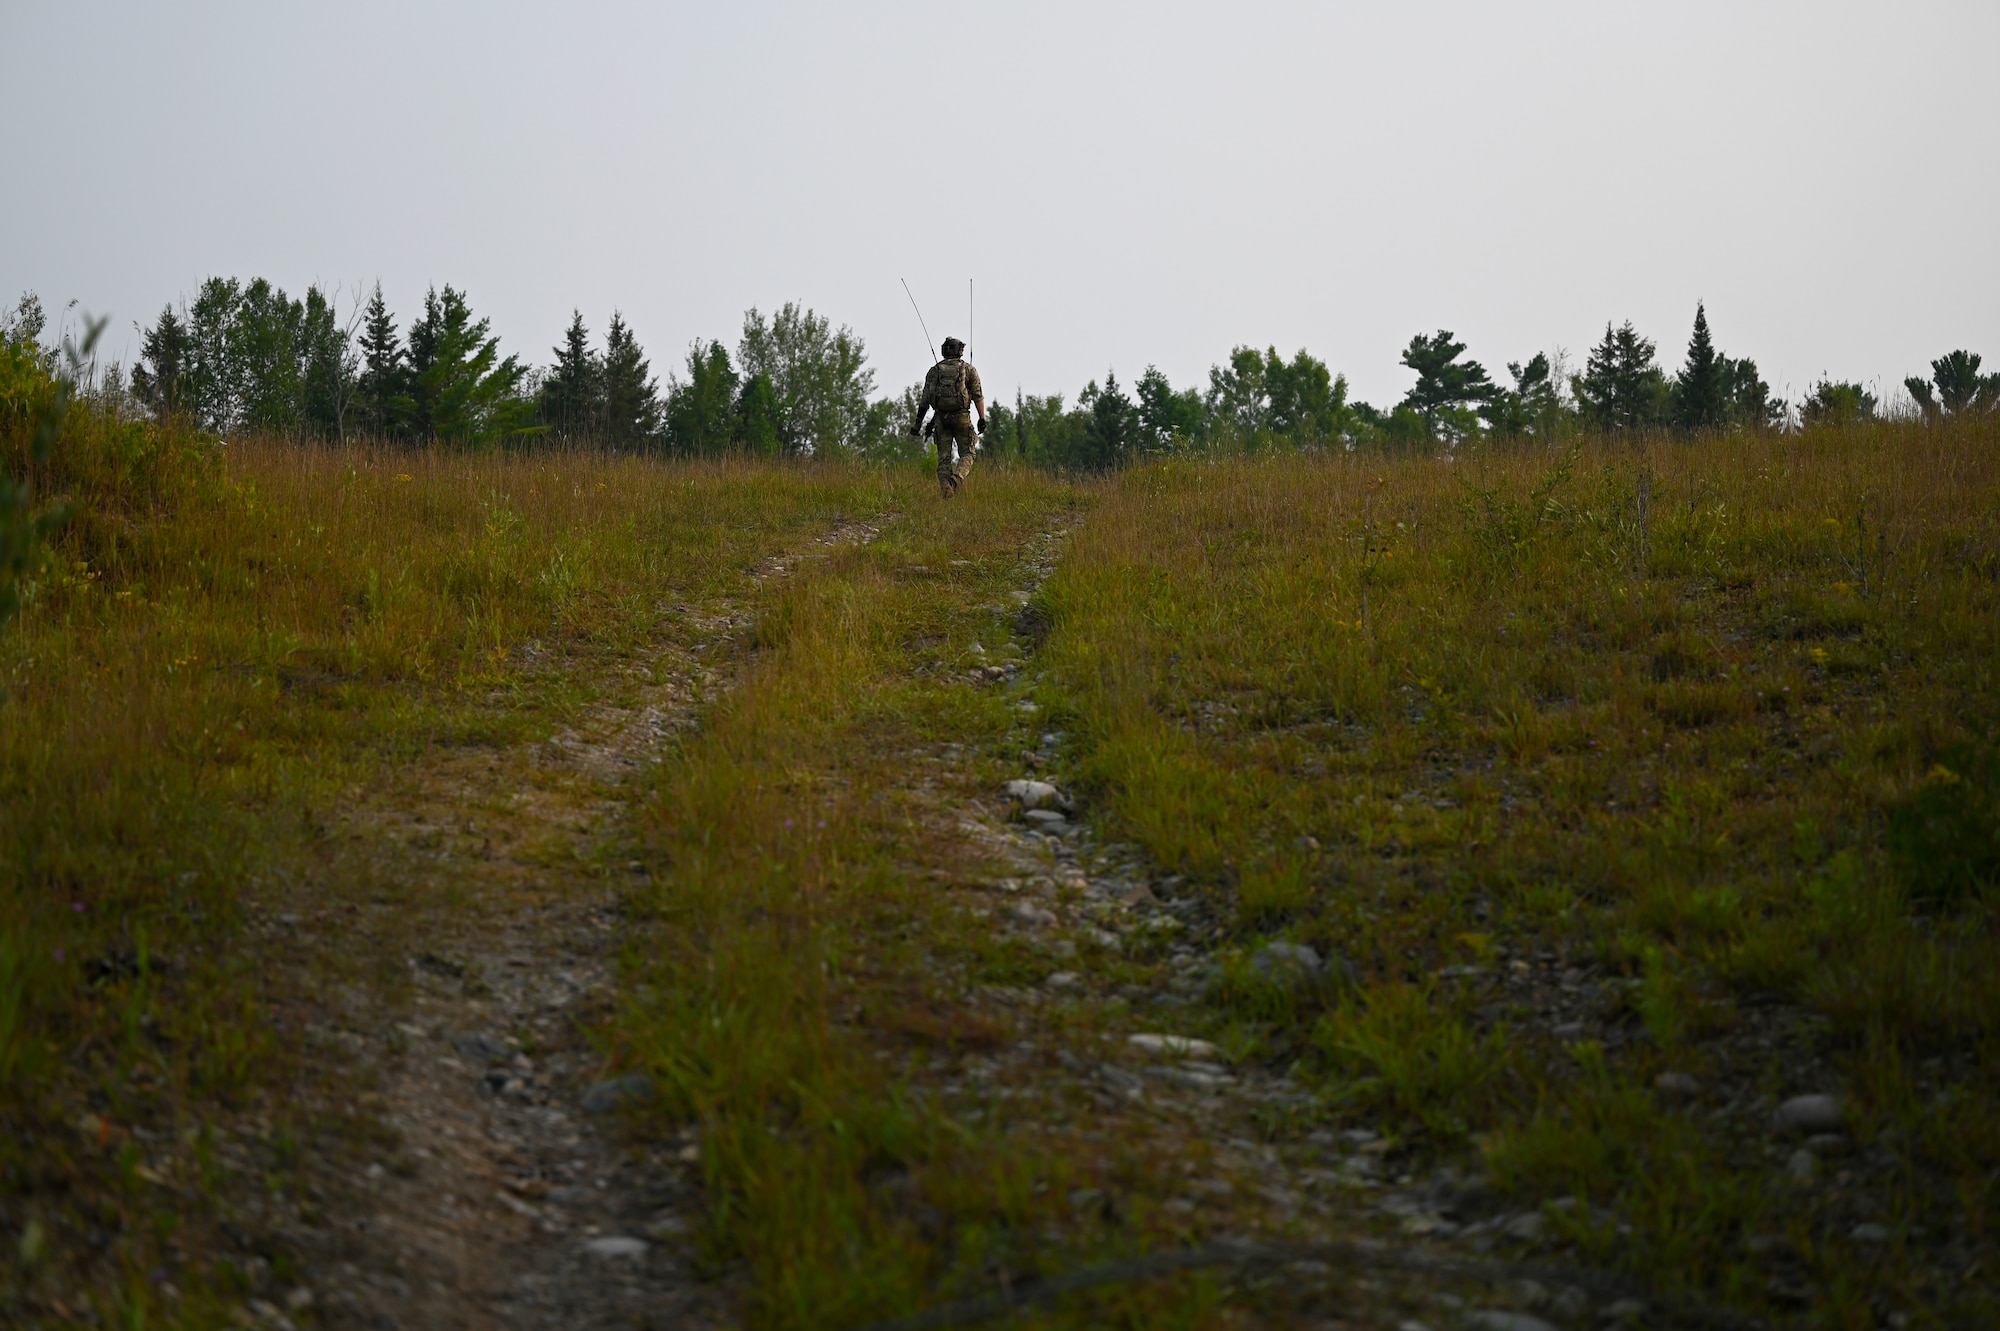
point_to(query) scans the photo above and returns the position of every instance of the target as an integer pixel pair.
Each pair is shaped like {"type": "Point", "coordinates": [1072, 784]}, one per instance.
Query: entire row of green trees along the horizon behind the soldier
{"type": "Point", "coordinates": [245, 357]}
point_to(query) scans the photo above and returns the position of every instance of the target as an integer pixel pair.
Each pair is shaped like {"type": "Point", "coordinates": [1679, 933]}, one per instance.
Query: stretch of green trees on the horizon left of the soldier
{"type": "Point", "coordinates": [249, 359]}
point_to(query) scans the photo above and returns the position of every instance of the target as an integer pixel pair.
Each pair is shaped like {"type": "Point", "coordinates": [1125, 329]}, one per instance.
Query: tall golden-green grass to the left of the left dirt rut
{"type": "Point", "coordinates": [217, 647]}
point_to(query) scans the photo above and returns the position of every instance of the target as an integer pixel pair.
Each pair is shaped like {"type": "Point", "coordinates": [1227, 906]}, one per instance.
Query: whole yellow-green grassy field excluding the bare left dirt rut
{"type": "Point", "coordinates": [1627, 794]}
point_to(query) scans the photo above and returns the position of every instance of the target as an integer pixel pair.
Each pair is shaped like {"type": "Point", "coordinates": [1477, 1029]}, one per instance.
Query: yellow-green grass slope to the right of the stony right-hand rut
{"type": "Point", "coordinates": [1735, 754]}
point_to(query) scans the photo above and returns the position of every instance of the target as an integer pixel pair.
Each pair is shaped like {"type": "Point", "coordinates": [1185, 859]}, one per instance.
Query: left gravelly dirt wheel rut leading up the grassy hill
{"type": "Point", "coordinates": [491, 1184]}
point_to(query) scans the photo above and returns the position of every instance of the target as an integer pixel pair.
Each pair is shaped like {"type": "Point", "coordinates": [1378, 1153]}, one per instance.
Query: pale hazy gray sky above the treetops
{"type": "Point", "coordinates": [1127, 183]}
